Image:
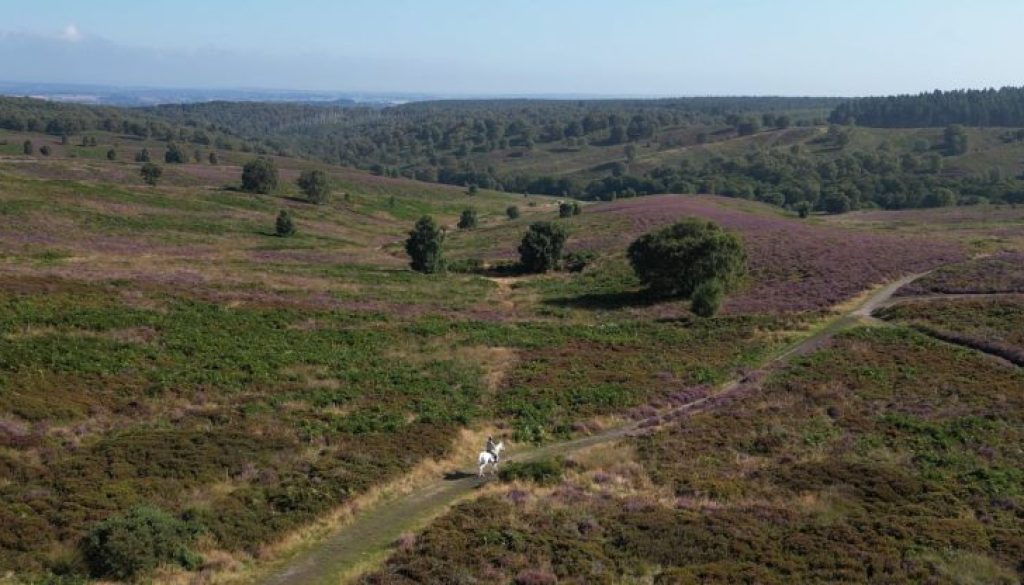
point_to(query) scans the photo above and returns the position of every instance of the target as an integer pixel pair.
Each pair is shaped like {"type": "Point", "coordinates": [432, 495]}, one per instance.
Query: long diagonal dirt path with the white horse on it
{"type": "Point", "coordinates": [369, 537]}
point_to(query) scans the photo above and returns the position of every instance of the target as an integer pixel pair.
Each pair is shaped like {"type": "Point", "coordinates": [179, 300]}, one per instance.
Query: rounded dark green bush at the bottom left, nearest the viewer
{"type": "Point", "coordinates": [138, 542]}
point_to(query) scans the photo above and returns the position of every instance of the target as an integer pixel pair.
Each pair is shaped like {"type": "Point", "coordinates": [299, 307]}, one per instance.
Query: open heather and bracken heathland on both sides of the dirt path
{"type": "Point", "coordinates": [162, 347]}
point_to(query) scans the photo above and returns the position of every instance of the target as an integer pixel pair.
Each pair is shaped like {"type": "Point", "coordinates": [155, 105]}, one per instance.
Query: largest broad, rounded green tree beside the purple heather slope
{"type": "Point", "coordinates": [677, 260]}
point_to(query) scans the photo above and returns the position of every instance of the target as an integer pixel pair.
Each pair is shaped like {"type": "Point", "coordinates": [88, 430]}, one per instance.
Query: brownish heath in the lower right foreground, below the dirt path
{"type": "Point", "coordinates": [885, 457]}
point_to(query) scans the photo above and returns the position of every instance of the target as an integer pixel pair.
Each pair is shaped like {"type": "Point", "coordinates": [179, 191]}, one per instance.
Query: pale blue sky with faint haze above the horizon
{"type": "Point", "coordinates": [521, 48]}
